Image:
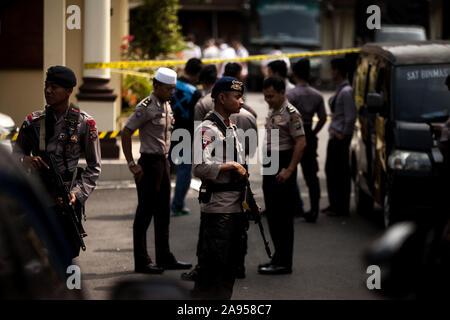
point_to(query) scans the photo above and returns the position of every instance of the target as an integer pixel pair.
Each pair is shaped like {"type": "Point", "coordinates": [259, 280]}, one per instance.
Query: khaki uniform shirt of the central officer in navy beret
{"type": "Point", "coordinates": [211, 139]}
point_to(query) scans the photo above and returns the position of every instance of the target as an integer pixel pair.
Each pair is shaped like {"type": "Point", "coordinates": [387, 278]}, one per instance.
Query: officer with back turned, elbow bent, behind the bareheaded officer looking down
{"type": "Point", "coordinates": [308, 102]}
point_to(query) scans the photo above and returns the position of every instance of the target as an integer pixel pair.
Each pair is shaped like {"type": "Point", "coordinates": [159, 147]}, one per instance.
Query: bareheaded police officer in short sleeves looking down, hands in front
{"type": "Point", "coordinates": [279, 189]}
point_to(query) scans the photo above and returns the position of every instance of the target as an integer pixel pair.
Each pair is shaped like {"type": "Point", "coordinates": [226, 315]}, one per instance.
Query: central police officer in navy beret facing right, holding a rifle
{"type": "Point", "coordinates": [223, 223]}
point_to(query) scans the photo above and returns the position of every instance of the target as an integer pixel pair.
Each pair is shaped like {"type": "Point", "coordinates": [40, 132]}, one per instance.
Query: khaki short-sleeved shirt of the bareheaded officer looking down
{"type": "Point", "coordinates": [289, 123]}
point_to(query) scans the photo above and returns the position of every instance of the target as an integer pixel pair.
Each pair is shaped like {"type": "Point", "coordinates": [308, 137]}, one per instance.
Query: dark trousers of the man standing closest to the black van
{"type": "Point", "coordinates": [337, 169]}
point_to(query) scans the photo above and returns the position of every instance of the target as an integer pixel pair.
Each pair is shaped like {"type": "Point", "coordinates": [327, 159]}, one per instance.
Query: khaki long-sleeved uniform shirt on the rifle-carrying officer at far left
{"type": "Point", "coordinates": [85, 142]}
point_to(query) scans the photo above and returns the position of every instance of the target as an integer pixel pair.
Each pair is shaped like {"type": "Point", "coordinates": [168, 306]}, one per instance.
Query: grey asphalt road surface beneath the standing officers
{"type": "Point", "coordinates": [328, 260]}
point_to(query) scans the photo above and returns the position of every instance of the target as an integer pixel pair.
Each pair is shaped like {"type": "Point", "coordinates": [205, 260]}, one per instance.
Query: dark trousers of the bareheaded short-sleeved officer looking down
{"type": "Point", "coordinates": [280, 201]}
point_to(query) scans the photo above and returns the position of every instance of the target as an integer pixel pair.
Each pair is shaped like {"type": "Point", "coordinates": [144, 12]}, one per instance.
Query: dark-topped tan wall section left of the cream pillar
{"type": "Point", "coordinates": [21, 64]}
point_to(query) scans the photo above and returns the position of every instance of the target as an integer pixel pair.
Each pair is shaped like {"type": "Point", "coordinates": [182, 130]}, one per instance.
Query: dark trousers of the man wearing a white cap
{"type": "Point", "coordinates": [153, 202]}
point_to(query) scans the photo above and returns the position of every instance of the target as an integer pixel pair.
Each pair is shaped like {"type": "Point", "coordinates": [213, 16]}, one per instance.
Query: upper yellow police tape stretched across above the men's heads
{"type": "Point", "coordinates": [160, 63]}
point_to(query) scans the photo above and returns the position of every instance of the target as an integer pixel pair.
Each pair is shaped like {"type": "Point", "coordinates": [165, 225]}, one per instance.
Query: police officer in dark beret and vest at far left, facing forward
{"type": "Point", "coordinates": [65, 132]}
